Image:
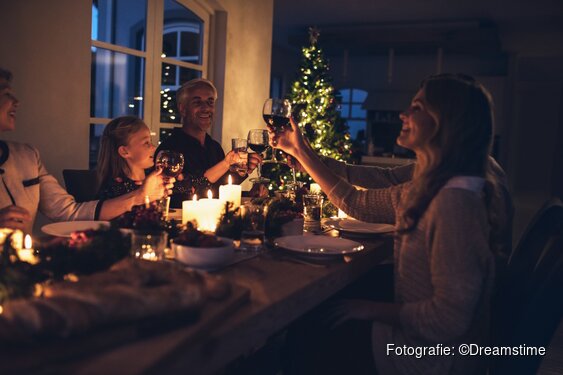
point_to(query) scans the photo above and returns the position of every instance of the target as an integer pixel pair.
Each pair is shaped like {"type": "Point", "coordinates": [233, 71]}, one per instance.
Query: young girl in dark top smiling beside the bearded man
{"type": "Point", "coordinates": [126, 151]}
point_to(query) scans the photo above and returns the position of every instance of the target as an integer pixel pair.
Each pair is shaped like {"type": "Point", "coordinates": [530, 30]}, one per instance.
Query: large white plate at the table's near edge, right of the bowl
{"type": "Point", "coordinates": [318, 245]}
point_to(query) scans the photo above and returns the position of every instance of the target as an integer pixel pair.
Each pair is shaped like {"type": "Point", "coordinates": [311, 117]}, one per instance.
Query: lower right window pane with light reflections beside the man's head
{"type": "Point", "coordinates": [168, 109]}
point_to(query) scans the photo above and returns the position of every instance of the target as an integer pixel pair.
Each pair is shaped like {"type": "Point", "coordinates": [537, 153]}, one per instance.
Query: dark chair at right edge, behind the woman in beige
{"type": "Point", "coordinates": [529, 302]}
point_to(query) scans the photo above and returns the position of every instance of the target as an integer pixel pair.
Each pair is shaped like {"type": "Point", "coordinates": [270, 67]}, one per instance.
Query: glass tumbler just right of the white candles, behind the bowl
{"type": "Point", "coordinates": [254, 221]}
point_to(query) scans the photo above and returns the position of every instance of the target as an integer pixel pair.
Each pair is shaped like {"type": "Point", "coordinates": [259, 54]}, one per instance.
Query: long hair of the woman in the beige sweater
{"type": "Point", "coordinates": [461, 142]}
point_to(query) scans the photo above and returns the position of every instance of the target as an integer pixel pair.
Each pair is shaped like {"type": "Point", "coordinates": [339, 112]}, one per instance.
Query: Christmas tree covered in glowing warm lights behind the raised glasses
{"type": "Point", "coordinates": [314, 104]}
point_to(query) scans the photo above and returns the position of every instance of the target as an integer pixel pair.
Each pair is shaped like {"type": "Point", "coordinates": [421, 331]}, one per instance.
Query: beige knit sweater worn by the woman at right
{"type": "Point", "coordinates": [444, 272]}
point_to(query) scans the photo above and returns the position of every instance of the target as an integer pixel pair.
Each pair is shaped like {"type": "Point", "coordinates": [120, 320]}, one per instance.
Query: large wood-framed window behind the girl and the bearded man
{"type": "Point", "coordinates": [142, 52]}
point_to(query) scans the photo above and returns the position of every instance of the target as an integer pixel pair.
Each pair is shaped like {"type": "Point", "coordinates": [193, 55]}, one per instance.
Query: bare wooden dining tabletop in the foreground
{"type": "Point", "coordinates": [273, 288]}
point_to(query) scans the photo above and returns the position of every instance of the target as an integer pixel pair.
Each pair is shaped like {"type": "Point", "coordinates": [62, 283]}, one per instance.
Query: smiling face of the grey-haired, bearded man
{"type": "Point", "coordinates": [198, 109]}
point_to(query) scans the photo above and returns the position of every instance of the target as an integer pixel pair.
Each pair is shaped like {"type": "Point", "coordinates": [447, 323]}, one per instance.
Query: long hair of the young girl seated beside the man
{"type": "Point", "coordinates": [116, 134]}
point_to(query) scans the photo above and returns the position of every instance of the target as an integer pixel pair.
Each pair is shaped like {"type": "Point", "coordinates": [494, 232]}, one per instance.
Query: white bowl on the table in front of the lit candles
{"type": "Point", "coordinates": [205, 257]}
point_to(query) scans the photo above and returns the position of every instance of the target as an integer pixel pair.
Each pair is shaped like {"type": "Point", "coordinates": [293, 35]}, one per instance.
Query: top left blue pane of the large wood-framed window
{"type": "Point", "coordinates": [120, 22]}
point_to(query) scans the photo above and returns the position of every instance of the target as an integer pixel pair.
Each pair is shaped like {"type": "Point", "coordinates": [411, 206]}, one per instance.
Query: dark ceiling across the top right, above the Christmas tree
{"type": "Point", "coordinates": [374, 26]}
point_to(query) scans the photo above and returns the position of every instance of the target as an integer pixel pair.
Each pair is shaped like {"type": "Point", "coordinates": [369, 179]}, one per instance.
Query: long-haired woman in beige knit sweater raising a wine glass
{"type": "Point", "coordinates": [444, 266]}
